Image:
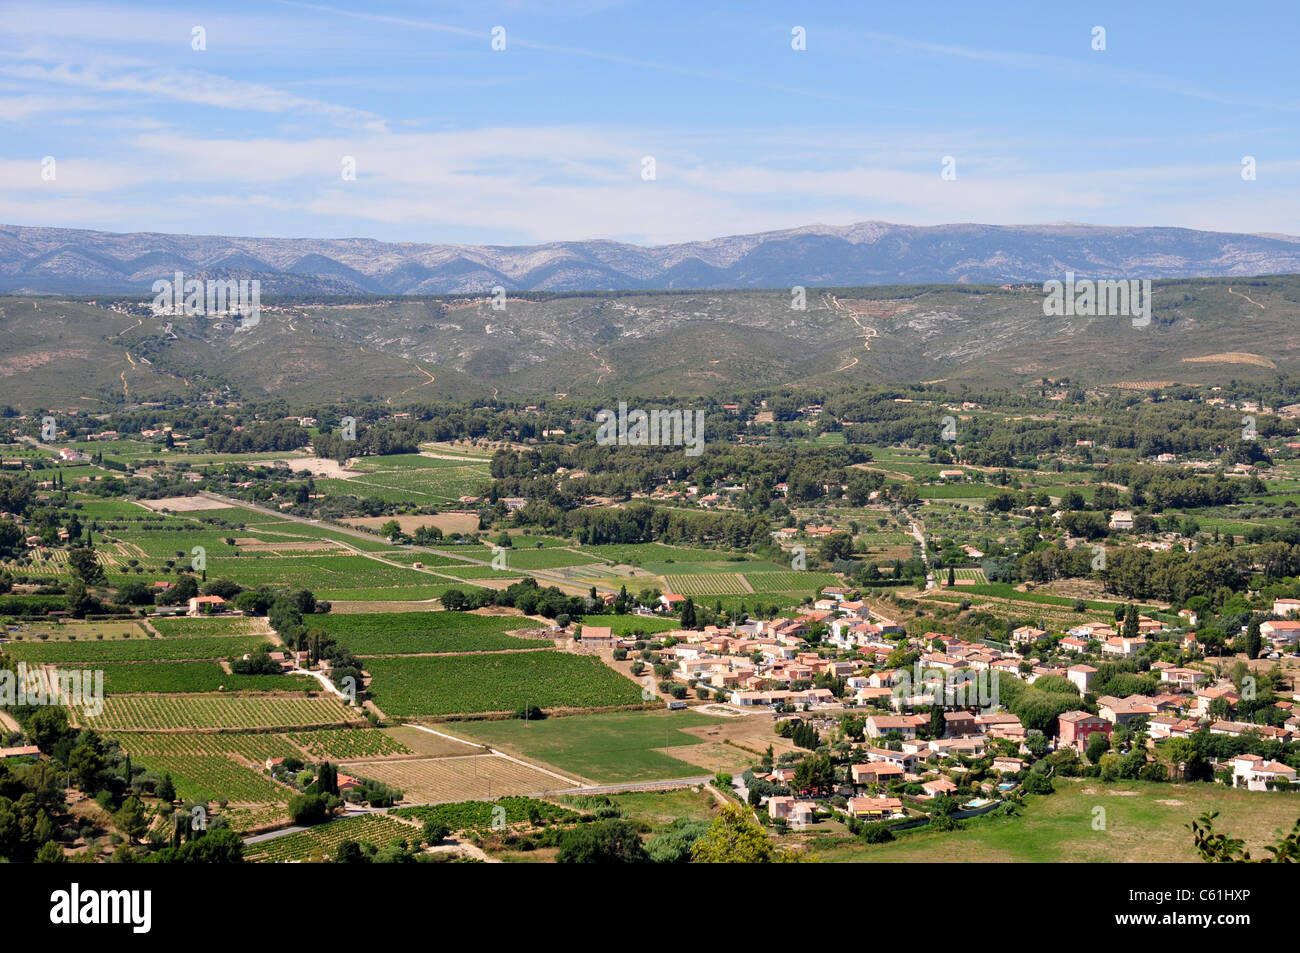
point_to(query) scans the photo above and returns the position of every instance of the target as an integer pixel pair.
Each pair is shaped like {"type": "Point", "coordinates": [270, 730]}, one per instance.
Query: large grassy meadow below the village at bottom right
{"type": "Point", "coordinates": [1143, 824]}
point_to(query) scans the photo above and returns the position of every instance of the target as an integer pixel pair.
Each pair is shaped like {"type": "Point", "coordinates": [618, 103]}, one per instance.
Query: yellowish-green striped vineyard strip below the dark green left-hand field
{"type": "Point", "coordinates": [197, 712]}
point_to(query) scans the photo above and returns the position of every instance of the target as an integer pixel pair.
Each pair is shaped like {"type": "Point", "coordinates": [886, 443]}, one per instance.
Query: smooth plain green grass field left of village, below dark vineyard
{"type": "Point", "coordinates": [604, 748]}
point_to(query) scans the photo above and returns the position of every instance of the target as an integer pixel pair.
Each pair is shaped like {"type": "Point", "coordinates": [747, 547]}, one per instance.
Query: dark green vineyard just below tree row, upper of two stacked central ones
{"type": "Point", "coordinates": [396, 634]}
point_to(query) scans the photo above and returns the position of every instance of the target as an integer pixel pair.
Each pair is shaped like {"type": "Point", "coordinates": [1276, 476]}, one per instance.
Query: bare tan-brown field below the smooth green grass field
{"type": "Point", "coordinates": [450, 779]}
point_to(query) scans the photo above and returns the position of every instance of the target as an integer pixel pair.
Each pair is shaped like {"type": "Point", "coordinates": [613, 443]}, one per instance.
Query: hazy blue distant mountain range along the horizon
{"type": "Point", "coordinates": [77, 262]}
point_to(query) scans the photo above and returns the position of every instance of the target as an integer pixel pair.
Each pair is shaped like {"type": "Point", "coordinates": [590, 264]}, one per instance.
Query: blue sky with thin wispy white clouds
{"type": "Point", "coordinates": [649, 123]}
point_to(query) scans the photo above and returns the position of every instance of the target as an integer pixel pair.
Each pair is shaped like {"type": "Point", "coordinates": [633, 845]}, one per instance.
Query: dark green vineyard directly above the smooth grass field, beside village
{"type": "Point", "coordinates": [502, 682]}
